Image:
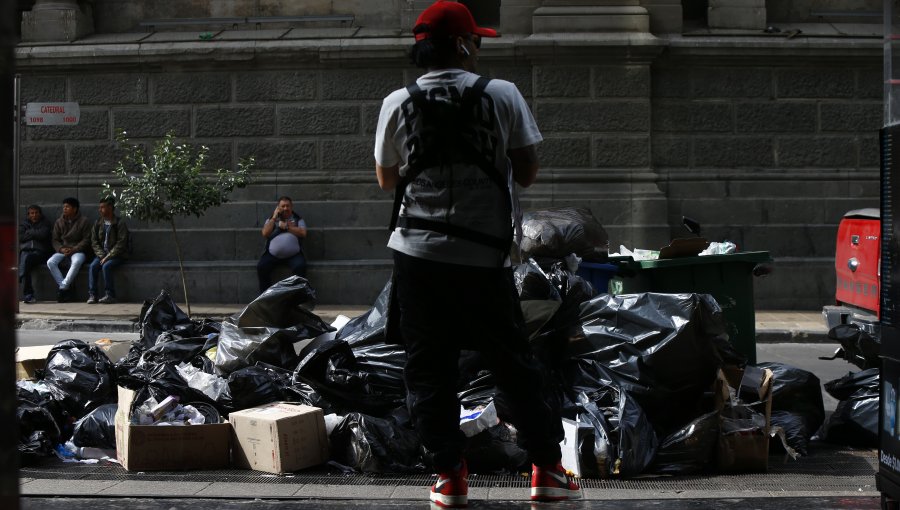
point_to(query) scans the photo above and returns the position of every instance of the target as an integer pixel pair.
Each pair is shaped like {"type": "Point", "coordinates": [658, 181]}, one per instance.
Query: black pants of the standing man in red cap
{"type": "Point", "coordinates": [446, 308]}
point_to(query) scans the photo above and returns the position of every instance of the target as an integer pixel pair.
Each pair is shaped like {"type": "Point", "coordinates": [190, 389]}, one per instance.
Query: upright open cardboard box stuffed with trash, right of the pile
{"type": "Point", "coordinates": [745, 421]}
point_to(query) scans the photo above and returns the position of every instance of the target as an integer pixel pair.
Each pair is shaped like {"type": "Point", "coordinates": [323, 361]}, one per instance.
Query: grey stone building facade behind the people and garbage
{"type": "Point", "coordinates": [649, 113]}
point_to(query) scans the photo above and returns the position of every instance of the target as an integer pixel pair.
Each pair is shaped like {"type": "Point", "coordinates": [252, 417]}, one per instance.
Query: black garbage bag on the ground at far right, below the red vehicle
{"type": "Point", "coordinates": [854, 421]}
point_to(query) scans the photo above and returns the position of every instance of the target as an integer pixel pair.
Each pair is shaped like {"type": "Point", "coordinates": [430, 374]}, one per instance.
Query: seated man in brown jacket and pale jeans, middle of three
{"type": "Point", "coordinates": [71, 240]}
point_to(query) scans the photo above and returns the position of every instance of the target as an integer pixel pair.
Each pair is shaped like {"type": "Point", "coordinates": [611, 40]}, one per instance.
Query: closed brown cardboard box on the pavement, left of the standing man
{"type": "Point", "coordinates": [279, 437]}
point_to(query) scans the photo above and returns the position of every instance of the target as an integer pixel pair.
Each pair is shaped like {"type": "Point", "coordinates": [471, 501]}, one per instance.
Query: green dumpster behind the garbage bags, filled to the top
{"type": "Point", "coordinates": [728, 278]}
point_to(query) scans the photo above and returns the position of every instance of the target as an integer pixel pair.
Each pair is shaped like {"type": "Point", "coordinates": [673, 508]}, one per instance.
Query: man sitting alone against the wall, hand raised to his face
{"type": "Point", "coordinates": [284, 232]}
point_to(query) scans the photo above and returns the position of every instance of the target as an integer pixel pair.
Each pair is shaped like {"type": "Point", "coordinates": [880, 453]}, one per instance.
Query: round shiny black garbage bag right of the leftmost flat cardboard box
{"type": "Point", "coordinates": [80, 377]}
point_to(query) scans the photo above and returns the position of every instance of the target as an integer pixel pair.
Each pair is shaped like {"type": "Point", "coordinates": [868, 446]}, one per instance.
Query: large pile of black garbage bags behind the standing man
{"type": "Point", "coordinates": [637, 371]}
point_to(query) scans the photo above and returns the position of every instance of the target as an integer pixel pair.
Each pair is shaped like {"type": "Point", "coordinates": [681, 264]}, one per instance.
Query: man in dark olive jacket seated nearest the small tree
{"type": "Point", "coordinates": [109, 239]}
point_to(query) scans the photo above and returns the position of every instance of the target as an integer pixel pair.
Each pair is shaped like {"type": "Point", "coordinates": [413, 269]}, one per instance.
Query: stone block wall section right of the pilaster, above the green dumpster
{"type": "Point", "coordinates": [770, 156]}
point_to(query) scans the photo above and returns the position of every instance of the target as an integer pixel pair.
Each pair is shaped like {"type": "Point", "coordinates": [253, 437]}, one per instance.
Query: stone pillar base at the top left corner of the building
{"type": "Point", "coordinates": [57, 20]}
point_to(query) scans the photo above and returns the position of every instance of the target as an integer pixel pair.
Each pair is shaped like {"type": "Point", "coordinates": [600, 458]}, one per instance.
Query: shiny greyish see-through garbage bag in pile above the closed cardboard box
{"type": "Point", "coordinates": [242, 347]}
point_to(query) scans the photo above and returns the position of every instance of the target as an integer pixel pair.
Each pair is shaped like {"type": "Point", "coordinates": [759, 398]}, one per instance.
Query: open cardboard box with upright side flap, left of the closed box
{"type": "Point", "coordinates": [177, 448]}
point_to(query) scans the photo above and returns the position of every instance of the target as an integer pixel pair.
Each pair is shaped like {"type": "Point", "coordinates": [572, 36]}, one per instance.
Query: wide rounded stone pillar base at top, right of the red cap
{"type": "Point", "coordinates": [568, 16]}
